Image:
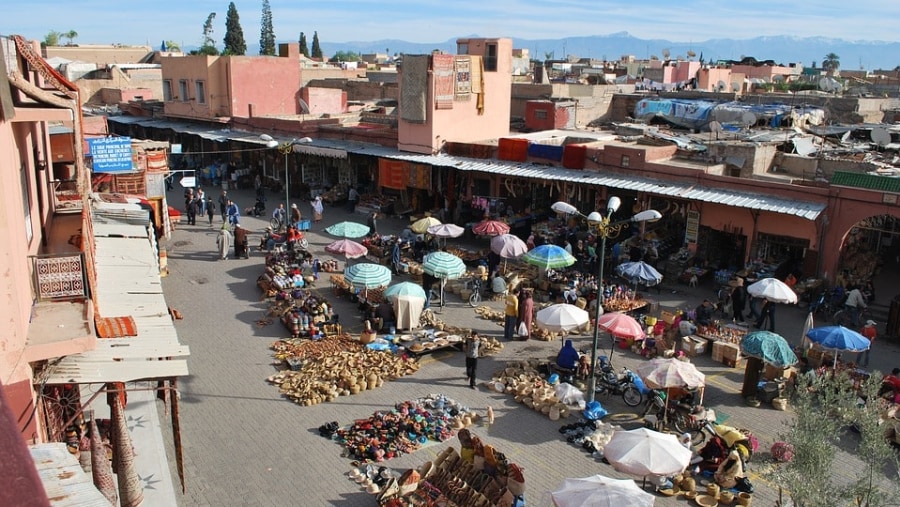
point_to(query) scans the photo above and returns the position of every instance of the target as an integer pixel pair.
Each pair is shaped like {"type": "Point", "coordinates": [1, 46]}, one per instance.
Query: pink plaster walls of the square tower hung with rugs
{"type": "Point", "coordinates": [463, 123]}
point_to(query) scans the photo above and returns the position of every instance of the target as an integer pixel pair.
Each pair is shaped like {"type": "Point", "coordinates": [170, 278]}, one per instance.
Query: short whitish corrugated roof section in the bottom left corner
{"type": "Point", "coordinates": [65, 482]}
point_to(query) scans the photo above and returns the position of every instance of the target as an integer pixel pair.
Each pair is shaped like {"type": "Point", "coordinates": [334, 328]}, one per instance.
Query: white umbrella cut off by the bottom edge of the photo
{"type": "Point", "coordinates": [600, 491]}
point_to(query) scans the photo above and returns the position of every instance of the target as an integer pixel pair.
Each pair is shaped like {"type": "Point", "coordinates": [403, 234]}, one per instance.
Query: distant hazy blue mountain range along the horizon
{"type": "Point", "coordinates": [783, 49]}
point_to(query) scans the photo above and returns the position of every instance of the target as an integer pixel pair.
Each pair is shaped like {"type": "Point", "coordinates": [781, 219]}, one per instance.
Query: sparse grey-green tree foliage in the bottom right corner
{"type": "Point", "coordinates": [823, 414]}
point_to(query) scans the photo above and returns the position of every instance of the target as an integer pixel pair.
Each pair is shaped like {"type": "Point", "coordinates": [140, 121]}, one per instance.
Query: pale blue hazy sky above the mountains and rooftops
{"type": "Point", "coordinates": [127, 22]}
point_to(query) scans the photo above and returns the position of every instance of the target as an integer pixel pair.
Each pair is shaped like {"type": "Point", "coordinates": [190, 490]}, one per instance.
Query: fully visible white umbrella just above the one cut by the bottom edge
{"type": "Point", "coordinates": [644, 452]}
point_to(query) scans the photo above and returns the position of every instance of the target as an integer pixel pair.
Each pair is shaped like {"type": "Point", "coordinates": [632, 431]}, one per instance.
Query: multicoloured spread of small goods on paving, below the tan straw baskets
{"type": "Point", "coordinates": [410, 426]}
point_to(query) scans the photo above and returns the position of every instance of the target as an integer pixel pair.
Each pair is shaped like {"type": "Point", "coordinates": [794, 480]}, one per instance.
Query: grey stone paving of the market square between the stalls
{"type": "Point", "coordinates": [246, 445]}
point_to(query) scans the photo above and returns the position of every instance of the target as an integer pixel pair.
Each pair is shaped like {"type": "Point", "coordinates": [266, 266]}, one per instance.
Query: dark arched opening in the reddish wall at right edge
{"type": "Point", "coordinates": [870, 257]}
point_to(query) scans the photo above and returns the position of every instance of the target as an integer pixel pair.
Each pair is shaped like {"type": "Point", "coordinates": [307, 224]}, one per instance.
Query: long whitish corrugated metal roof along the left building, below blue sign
{"type": "Point", "coordinates": [128, 284]}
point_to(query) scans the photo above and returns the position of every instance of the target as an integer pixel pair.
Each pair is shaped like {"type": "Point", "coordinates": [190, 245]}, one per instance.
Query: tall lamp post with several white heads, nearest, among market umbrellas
{"type": "Point", "coordinates": [605, 228]}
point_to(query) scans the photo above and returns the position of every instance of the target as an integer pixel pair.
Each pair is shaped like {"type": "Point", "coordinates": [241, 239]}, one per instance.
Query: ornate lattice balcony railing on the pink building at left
{"type": "Point", "coordinates": [60, 276]}
